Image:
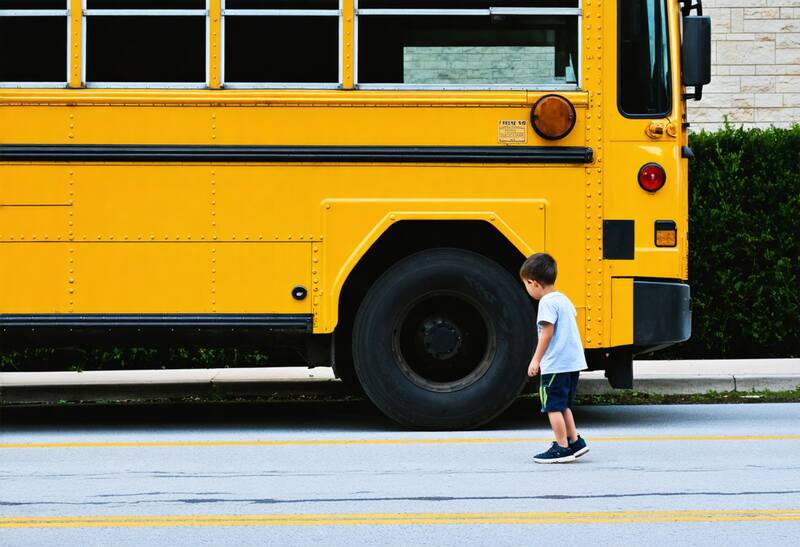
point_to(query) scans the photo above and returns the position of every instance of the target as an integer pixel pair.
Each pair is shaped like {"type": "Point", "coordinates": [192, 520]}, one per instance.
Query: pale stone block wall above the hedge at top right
{"type": "Point", "coordinates": [755, 65]}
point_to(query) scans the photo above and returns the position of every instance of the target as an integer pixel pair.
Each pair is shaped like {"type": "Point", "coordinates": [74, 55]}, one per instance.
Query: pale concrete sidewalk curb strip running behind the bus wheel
{"type": "Point", "coordinates": [663, 377]}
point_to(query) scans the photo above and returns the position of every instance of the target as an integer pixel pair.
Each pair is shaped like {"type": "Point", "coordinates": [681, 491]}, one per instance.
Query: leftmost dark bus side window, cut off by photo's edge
{"type": "Point", "coordinates": [33, 39]}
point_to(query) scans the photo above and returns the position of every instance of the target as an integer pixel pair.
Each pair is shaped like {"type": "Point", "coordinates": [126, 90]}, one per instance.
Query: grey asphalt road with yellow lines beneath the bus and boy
{"type": "Point", "coordinates": [340, 473]}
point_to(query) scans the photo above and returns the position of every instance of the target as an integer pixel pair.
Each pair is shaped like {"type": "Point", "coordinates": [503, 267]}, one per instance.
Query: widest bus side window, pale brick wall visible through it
{"type": "Point", "coordinates": [469, 43]}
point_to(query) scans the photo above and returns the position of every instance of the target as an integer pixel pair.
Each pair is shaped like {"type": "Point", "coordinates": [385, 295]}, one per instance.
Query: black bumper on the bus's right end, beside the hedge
{"type": "Point", "coordinates": [662, 314]}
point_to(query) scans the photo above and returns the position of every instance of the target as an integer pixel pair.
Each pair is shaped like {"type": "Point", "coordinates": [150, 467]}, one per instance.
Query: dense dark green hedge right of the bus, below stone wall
{"type": "Point", "coordinates": [744, 244]}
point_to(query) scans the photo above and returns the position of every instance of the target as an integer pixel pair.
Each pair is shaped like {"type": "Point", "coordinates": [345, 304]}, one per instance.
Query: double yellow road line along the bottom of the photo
{"type": "Point", "coordinates": [596, 517]}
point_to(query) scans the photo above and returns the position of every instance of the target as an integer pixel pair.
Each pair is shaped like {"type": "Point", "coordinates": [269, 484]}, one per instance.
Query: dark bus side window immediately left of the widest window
{"type": "Point", "coordinates": [281, 43]}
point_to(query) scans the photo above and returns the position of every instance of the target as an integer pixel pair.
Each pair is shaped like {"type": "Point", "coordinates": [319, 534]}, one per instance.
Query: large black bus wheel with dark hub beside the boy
{"type": "Point", "coordinates": [442, 340]}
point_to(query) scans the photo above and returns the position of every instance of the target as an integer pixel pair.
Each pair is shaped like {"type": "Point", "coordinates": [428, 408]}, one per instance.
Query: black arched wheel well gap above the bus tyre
{"type": "Point", "coordinates": [410, 236]}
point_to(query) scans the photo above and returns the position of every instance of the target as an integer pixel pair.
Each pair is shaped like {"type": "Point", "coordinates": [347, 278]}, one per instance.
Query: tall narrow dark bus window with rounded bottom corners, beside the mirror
{"type": "Point", "coordinates": [644, 71]}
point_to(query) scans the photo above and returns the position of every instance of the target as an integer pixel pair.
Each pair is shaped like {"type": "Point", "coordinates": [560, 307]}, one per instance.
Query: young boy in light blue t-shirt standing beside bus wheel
{"type": "Point", "coordinates": [558, 357]}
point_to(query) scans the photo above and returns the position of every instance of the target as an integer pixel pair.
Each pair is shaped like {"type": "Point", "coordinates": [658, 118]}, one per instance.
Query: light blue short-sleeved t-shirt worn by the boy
{"type": "Point", "coordinates": [565, 352]}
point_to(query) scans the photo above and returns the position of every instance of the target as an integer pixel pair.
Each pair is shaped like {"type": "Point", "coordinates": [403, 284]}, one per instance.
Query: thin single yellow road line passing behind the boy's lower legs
{"type": "Point", "coordinates": [317, 442]}
